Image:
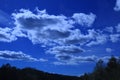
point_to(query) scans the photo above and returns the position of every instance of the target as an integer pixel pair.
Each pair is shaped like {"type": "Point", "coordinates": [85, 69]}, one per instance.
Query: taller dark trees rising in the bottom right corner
{"type": "Point", "coordinates": [105, 71]}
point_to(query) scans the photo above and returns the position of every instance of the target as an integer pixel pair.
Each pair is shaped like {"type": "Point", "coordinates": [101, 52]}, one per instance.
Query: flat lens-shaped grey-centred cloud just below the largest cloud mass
{"type": "Point", "coordinates": [72, 49]}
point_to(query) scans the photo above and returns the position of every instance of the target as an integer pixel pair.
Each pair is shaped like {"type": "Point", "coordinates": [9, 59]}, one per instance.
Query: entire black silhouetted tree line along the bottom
{"type": "Point", "coordinates": [102, 71]}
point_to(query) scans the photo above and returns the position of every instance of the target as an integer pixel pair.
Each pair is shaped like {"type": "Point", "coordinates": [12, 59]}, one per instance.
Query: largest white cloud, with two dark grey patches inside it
{"type": "Point", "coordinates": [42, 27]}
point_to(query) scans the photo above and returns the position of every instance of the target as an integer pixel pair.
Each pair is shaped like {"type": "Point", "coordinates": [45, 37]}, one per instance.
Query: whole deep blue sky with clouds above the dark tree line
{"type": "Point", "coordinates": [59, 36]}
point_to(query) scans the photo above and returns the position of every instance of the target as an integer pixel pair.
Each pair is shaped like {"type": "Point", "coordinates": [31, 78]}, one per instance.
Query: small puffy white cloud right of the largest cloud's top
{"type": "Point", "coordinates": [84, 19]}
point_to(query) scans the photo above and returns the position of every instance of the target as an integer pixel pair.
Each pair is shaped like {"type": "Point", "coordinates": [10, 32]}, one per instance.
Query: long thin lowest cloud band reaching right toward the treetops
{"type": "Point", "coordinates": [76, 60]}
